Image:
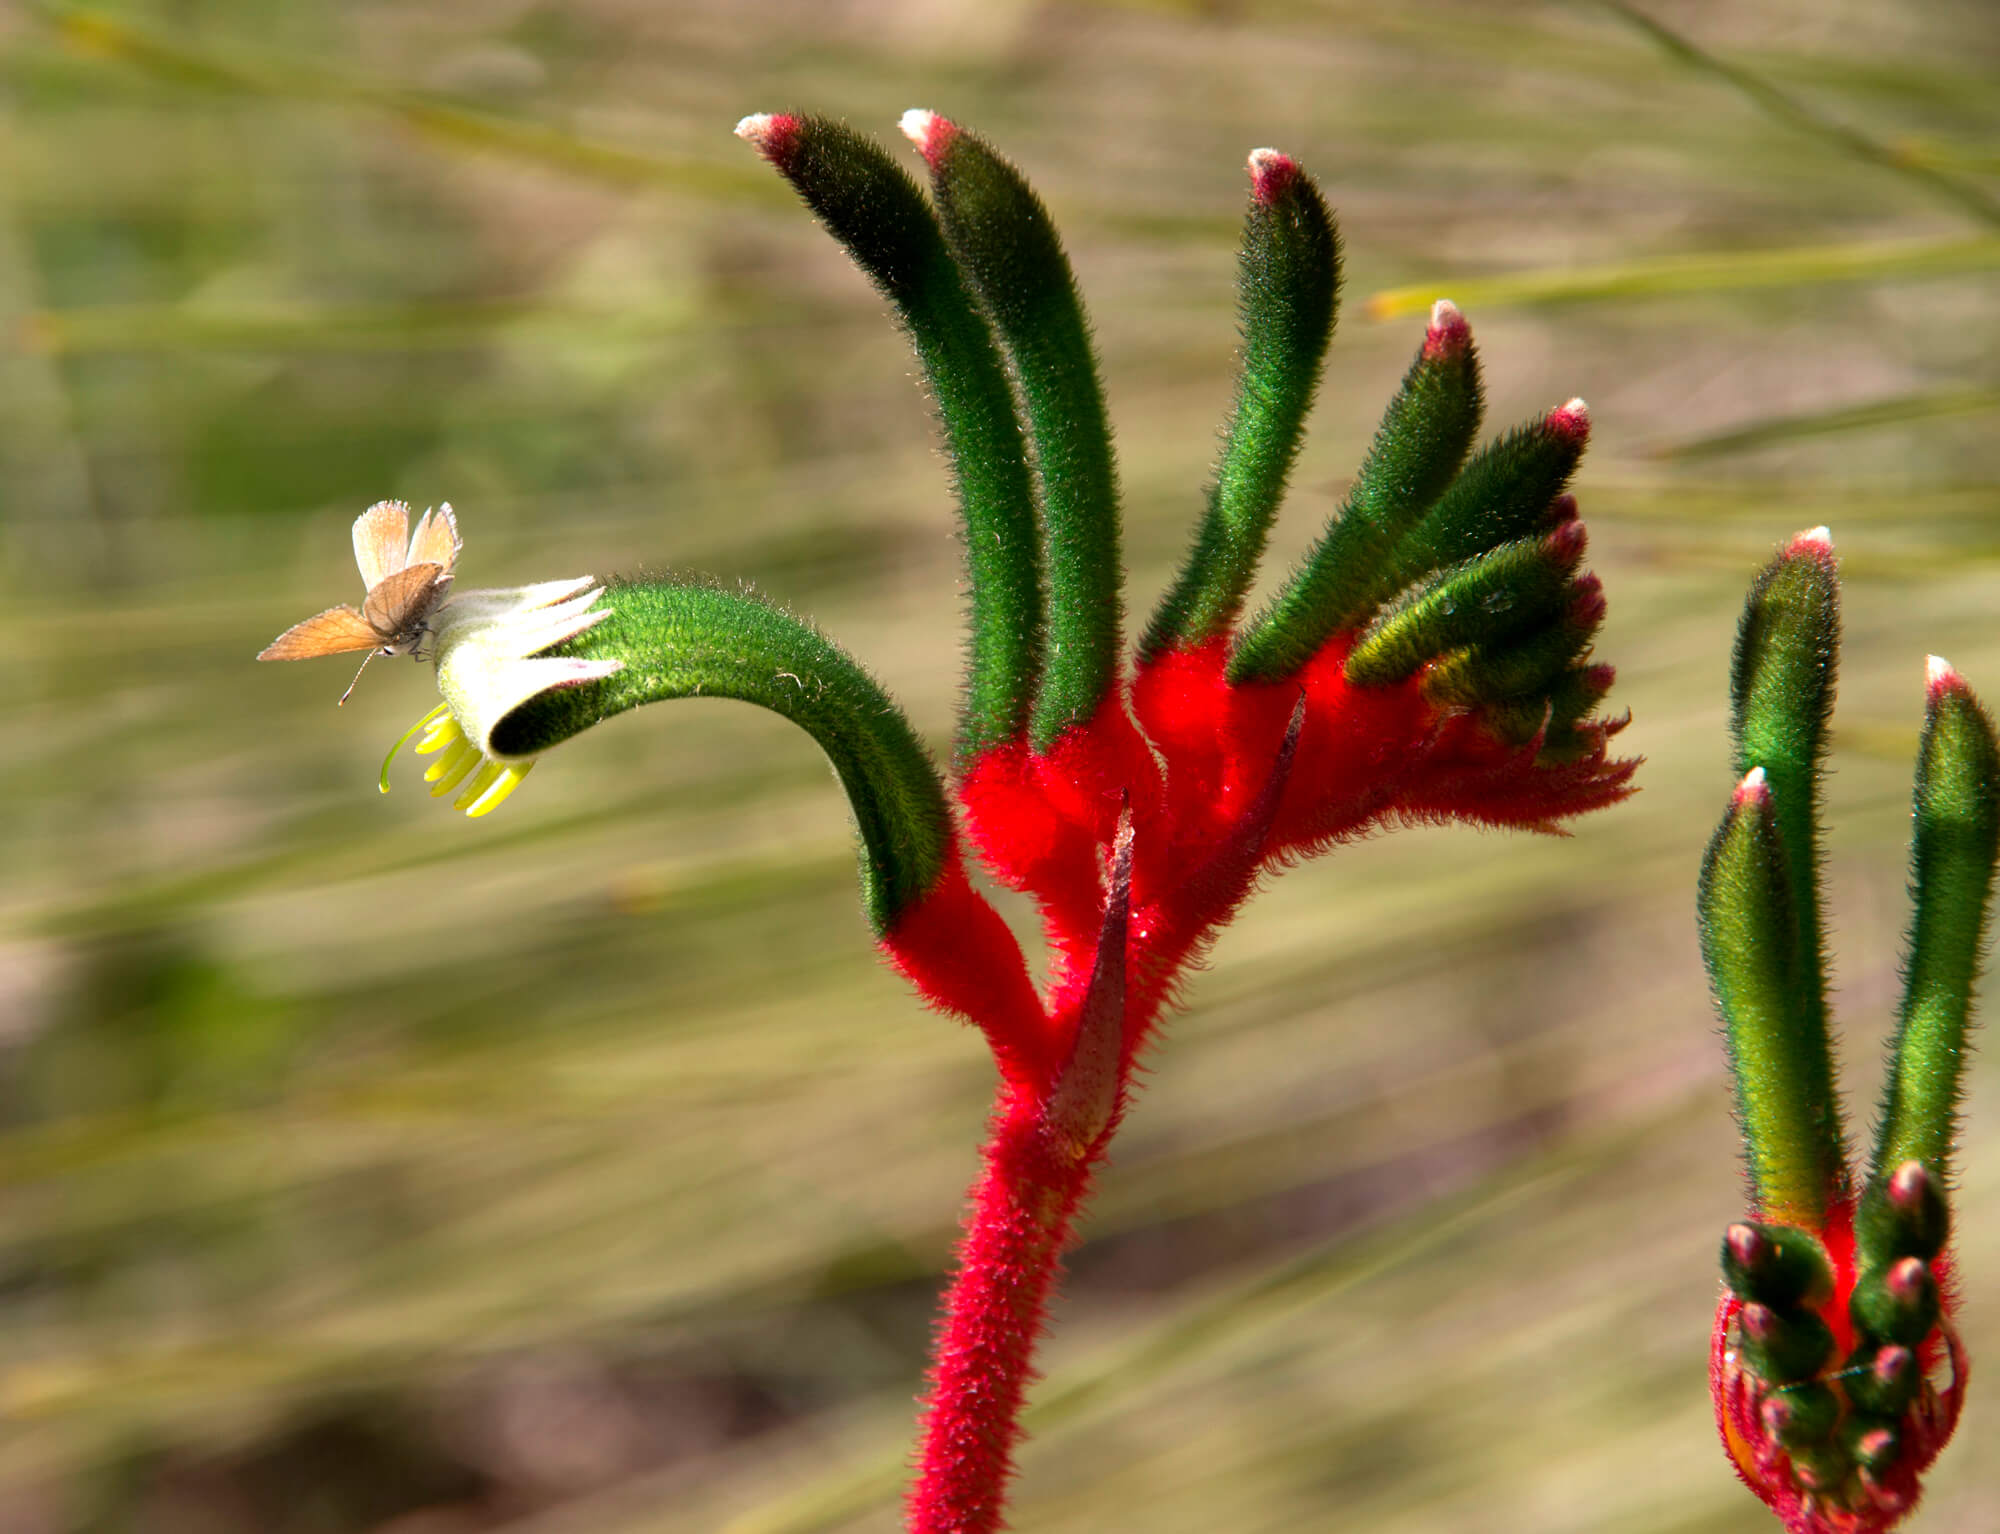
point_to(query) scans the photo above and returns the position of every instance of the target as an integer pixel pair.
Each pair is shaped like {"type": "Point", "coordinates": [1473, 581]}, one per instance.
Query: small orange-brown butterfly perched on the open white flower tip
{"type": "Point", "coordinates": [407, 577]}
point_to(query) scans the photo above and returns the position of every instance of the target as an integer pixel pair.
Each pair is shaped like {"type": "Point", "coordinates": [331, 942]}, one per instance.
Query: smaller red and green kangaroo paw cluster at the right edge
{"type": "Point", "coordinates": [1835, 1365]}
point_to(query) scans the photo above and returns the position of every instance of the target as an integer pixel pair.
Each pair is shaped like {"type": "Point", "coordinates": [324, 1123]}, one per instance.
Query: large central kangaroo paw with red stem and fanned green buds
{"type": "Point", "coordinates": [1429, 661]}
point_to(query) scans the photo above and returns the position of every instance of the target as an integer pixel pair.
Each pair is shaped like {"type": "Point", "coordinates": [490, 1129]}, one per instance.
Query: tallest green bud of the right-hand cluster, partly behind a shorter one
{"type": "Point", "coordinates": [1781, 697]}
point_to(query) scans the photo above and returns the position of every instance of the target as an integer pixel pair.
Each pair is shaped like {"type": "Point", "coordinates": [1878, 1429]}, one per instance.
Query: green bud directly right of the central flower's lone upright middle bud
{"type": "Point", "coordinates": [1419, 447]}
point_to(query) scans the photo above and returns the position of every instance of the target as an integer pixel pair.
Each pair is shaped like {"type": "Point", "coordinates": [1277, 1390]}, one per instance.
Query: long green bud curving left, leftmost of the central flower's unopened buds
{"type": "Point", "coordinates": [877, 211]}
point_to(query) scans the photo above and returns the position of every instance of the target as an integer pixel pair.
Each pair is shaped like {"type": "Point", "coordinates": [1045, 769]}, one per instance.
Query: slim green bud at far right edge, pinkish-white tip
{"type": "Point", "coordinates": [1951, 873]}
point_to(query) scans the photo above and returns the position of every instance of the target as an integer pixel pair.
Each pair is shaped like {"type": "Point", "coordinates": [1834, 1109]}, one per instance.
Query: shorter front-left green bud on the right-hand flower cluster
{"type": "Point", "coordinates": [1777, 1057]}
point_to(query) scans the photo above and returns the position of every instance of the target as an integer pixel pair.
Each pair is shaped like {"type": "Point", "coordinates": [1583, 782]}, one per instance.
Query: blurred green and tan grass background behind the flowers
{"type": "Point", "coordinates": [369, 1169]}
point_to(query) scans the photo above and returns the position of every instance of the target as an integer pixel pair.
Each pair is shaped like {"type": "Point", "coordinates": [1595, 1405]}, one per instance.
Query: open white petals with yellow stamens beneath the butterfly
{"type": "Point", "coordinates": [491, 661]}
